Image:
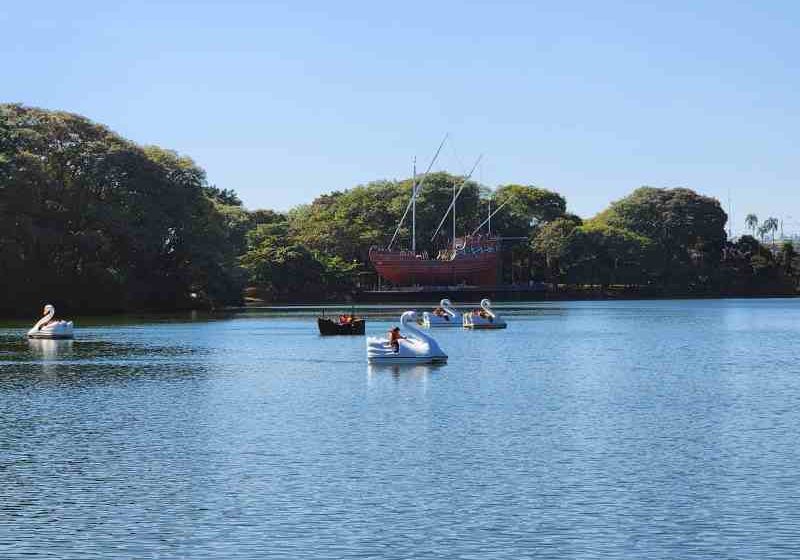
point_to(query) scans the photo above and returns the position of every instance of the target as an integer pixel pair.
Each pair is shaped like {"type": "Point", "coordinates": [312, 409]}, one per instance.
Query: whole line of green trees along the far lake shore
{"type": "Point", "coordinates": [93, 222]}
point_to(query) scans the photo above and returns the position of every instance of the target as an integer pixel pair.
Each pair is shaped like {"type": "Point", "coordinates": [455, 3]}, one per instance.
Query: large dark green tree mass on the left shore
{"type": "Point", "coordinates": [91, 221]}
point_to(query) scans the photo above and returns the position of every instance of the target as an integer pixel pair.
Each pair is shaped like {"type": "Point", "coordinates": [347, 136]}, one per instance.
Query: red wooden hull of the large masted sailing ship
{"type": "Point", "coordinates": [403, 269]}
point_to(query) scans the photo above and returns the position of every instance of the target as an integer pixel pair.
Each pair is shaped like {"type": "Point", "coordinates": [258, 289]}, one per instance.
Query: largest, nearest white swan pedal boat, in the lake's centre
{"type": "Point", "coordinates": [417, 347]}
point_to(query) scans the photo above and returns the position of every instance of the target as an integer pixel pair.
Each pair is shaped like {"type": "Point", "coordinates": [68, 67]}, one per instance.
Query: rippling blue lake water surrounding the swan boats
{"type": "Point", "coordinates": [586, 430]}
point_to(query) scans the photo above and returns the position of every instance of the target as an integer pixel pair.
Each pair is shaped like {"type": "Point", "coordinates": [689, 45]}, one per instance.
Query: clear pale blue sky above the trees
{"type": "Point", "coordinates": [283, 101]}
